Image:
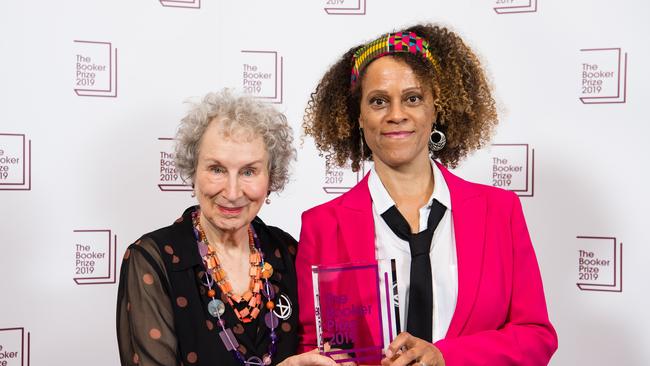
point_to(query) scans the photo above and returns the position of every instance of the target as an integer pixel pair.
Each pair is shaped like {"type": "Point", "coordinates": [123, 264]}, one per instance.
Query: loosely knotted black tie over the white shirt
{"type": "Point", "coordinates": [420, 310]}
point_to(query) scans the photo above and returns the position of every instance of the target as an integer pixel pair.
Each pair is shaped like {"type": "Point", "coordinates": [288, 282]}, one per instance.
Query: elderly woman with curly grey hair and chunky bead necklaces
{"type": "Point", "coordinates": [218, 286]}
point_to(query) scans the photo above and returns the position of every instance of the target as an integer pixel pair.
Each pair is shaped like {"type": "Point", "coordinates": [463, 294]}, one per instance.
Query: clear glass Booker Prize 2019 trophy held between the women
{"type": "Point", "coordinates": [357, 311]}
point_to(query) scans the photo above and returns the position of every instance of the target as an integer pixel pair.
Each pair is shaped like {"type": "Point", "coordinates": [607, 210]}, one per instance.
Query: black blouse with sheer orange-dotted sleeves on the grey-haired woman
{"type": "Point", "coordinates": [162, 316]}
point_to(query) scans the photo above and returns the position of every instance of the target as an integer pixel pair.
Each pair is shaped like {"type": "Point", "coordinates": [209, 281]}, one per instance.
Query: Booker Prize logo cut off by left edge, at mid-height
{"type": "Point", "coordinates": [15, 163]}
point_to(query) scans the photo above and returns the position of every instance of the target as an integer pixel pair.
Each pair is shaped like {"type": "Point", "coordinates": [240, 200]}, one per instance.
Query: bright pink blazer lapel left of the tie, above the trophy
{"type": "Point", "coordinates": [356, 226]}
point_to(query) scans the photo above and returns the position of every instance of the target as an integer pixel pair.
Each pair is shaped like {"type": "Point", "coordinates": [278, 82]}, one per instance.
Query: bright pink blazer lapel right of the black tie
{"type": "Point", "coordinates": [469, 208]}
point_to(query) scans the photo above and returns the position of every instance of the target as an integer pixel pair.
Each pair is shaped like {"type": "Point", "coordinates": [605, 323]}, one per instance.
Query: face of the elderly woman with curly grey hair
{"type": "Point", "coordinates": [232, 177]}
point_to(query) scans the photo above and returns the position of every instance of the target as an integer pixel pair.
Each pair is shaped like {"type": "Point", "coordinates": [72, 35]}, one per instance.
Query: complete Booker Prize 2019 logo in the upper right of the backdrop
{"type": "Point", "coordinates": [603, 76]}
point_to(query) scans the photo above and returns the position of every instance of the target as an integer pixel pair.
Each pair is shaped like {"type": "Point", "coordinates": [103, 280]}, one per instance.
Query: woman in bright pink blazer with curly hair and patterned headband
{"type": "Point", "coordinates": [470, 290]}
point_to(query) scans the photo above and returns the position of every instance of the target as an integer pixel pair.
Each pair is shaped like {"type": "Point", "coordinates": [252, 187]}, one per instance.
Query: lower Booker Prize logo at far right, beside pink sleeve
{"type": "Point", "coordinates": [600, 264]}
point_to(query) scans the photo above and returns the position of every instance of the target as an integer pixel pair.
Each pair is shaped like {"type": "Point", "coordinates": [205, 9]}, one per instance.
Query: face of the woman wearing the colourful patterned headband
{"type": "Point", "coordinates": [397, 113]}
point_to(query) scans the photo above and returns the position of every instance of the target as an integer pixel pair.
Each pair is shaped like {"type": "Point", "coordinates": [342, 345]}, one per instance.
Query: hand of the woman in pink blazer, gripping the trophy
{"type": "Point", "coordinates": [407, 349]}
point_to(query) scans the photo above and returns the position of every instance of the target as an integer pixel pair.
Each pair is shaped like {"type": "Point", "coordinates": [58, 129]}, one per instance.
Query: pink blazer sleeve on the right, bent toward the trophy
{"type": "Point", "coordinates": [527, 337]}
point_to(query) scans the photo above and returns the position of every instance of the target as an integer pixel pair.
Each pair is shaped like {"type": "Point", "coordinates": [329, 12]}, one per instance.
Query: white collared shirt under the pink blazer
{"type": "Point", "coordinates": [442, 253]}
